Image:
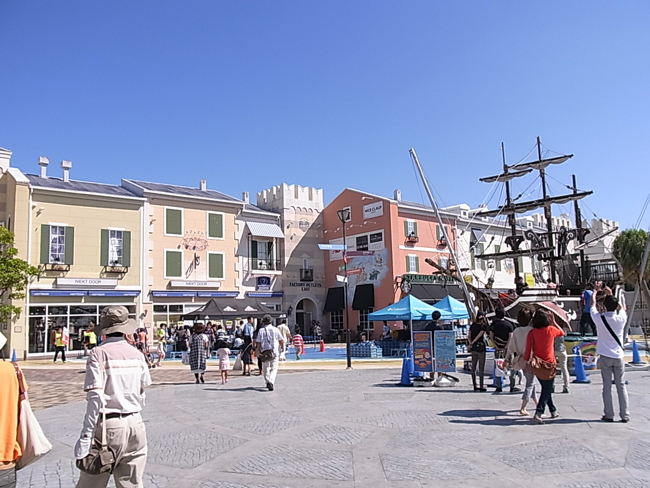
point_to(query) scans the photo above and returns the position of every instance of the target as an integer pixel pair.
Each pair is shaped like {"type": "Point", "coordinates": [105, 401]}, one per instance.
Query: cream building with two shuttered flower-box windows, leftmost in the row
{"type": "Point", "coordinates": [86, 240]}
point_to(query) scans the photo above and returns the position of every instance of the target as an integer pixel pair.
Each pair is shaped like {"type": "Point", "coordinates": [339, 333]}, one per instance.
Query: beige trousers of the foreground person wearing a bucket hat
{"type": "Point", "coordinates": [128, 438]}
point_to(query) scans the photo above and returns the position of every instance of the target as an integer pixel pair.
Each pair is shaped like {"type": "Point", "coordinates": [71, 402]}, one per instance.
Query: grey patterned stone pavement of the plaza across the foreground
{"type": "Point", "coordinates": [354, 428]}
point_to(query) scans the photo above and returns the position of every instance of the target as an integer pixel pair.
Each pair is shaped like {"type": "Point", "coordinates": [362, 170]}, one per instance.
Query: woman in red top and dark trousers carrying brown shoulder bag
{"type": "Point", "coordinates": [539, 343]}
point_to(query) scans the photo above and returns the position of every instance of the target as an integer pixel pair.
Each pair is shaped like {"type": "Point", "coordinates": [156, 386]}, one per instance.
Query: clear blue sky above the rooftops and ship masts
{"type": "Point", "coordinates": [332, 94]}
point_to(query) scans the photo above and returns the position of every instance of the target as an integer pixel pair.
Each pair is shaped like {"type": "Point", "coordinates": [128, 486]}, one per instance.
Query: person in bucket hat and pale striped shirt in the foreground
{"type": "Point", "coordinates": [121, 396]}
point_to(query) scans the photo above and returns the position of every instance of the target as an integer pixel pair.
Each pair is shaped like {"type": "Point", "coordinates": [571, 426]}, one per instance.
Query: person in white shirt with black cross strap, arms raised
{"type": "Point", "coordinates": [611, 337]}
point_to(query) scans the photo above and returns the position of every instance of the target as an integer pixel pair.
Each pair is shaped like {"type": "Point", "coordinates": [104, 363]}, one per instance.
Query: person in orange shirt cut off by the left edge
{"type": "Point", "coordinates": [10, 450]}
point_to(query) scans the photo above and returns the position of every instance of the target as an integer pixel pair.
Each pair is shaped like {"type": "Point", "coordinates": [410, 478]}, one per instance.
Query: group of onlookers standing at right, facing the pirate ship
{"type": "Point", "coordinates": [534, 349]}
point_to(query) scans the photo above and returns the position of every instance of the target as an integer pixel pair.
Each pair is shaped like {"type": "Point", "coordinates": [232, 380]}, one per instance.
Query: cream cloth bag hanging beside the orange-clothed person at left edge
{"type": "Point", "coordinates": [30, 436]}
